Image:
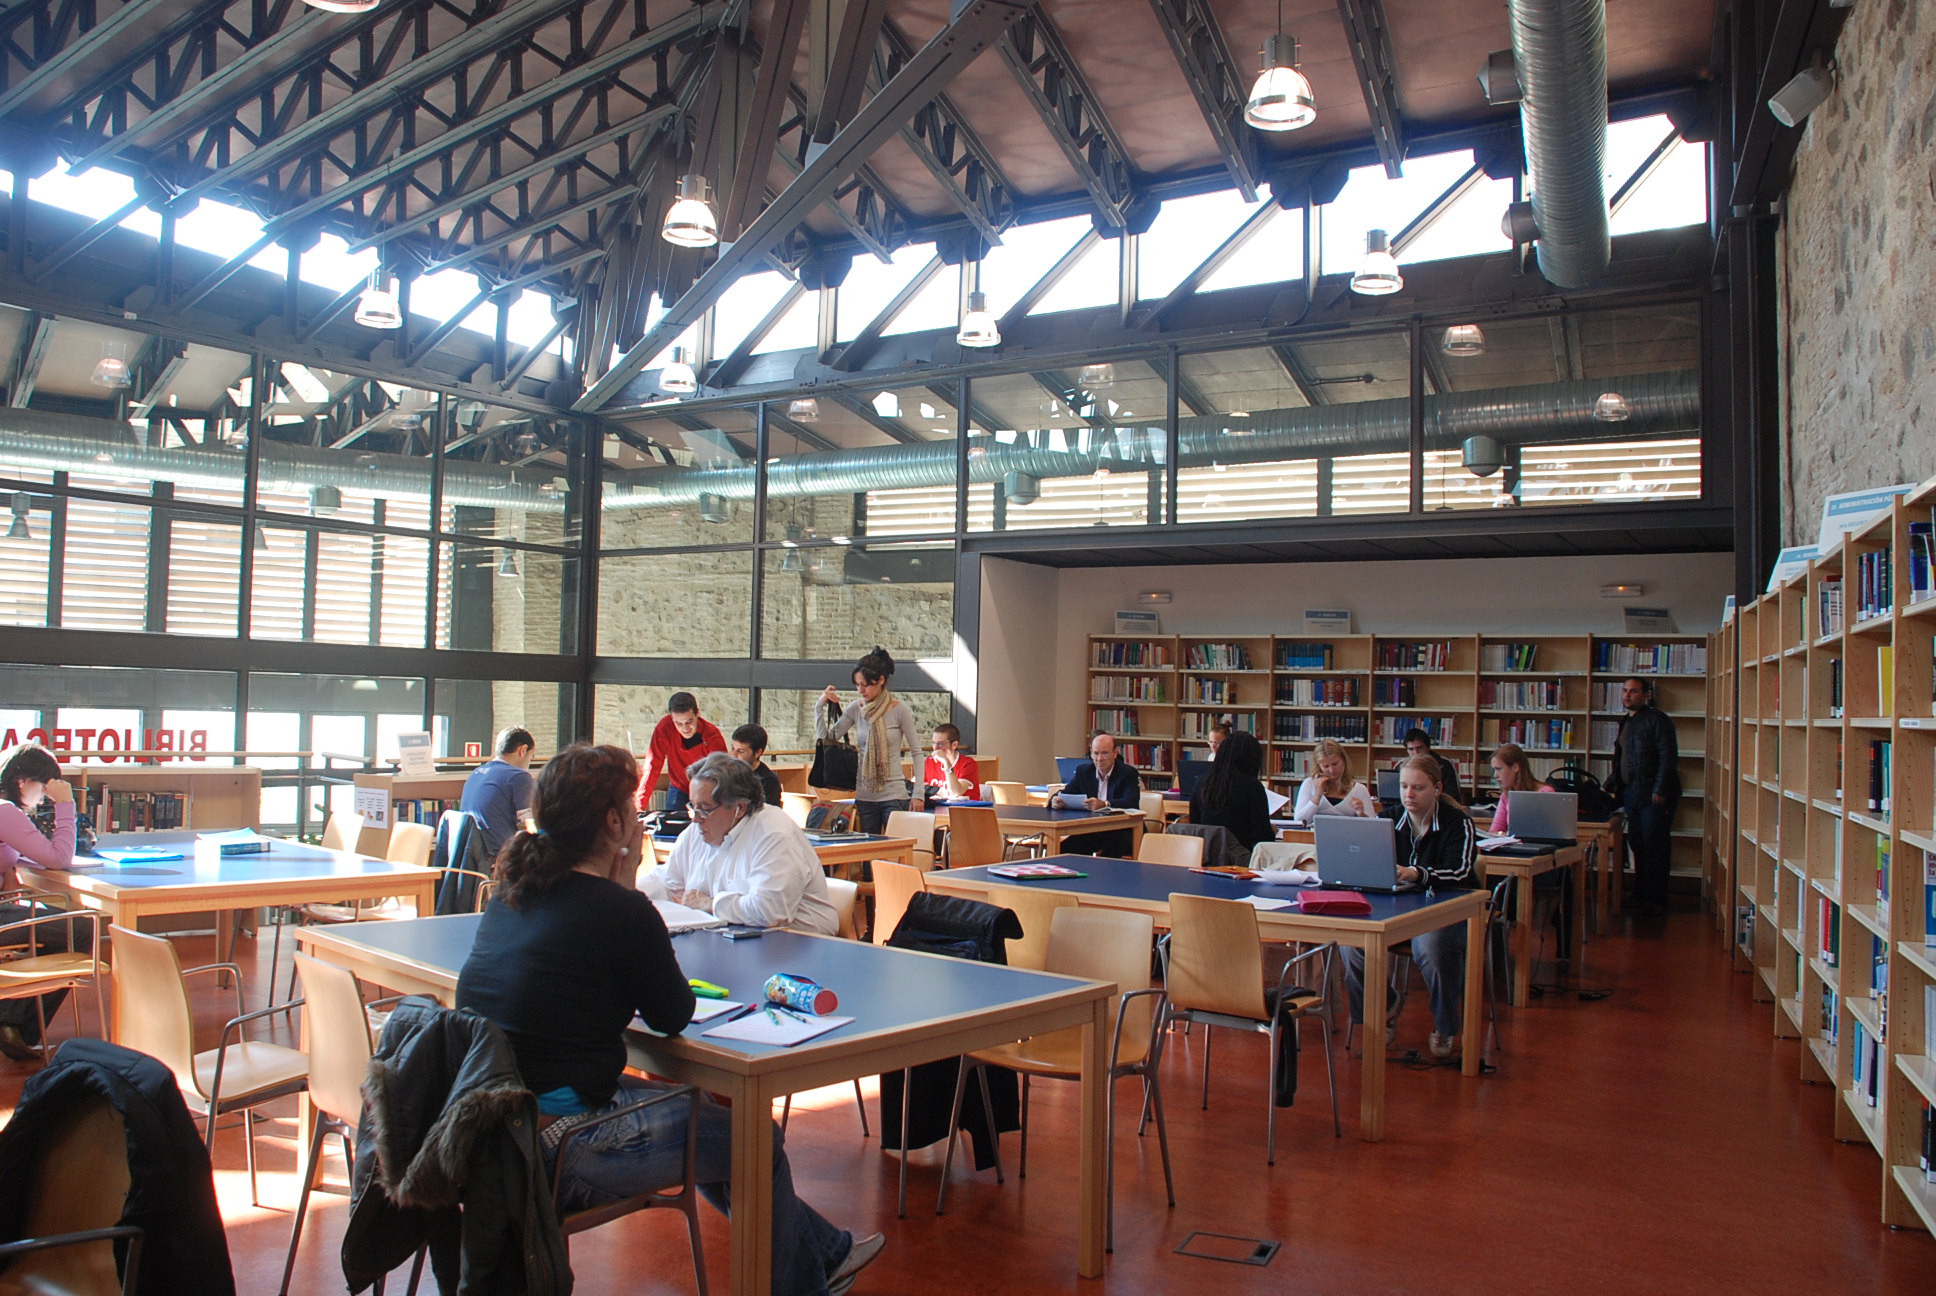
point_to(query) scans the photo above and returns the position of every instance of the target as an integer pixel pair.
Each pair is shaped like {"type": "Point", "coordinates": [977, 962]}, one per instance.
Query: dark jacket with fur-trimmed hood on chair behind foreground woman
{"type": "Point", "coordinates": [448, 1156]}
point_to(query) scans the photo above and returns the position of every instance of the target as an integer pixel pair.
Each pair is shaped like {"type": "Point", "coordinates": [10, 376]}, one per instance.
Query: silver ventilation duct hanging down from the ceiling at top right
{"type": "Point", "coordinates": [1559, 49]}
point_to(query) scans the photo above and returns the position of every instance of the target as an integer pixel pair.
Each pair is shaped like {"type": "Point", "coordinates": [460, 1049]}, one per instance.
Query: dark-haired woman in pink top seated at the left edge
{"type": "Point", "coordinates": [30, 774]}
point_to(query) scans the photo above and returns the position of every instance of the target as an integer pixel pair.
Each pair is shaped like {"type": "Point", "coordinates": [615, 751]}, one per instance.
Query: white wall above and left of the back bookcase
{"type": "Point", "coordinates": [1037, 621]}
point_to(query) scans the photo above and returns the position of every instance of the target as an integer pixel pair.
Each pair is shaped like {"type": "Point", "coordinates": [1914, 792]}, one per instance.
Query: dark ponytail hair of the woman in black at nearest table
{"type": "Point", "coordinates": [570, 803]}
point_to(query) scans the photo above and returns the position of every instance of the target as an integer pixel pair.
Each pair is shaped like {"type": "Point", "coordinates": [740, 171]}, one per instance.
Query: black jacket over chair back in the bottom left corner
{"type": "Point", "coordinates": [171, 1194]}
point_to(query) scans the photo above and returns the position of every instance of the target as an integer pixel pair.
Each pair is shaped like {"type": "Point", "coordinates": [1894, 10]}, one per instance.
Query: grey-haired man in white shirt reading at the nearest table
{"type": "Point", "coordinates": [741, 859]}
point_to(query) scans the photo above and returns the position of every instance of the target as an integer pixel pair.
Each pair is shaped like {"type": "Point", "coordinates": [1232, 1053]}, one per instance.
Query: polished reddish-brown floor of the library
{"type": "Point", "coordinates": [1649, 1142]}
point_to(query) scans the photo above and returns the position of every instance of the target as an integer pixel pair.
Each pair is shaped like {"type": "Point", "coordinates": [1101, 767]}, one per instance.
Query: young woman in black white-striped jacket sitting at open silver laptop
{"type": "Point", "coordinates": [1437, 849]}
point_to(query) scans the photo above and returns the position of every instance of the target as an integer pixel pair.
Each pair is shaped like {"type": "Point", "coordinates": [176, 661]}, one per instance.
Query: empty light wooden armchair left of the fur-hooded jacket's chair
{"type": "Point", "coordinates": [152, 1016]}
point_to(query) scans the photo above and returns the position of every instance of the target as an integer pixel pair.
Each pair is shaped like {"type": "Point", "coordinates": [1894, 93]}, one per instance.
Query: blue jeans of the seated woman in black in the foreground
{"type": "Point", "coordinates": [646, 1152]}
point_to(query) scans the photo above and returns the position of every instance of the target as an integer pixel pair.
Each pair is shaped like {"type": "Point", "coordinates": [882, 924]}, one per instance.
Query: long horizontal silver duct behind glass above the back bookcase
{"type": "Point", "coordinates": [1664, 406]}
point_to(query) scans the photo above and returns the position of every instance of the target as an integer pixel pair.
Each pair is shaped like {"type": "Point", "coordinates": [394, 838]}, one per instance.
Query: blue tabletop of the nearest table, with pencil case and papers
{"type": "Point", "coordinates": [882, 989]}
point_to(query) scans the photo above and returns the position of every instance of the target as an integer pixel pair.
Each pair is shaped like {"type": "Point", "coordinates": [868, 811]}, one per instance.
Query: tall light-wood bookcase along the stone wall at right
{"type": "Point", "coordinates": [1829, 735]}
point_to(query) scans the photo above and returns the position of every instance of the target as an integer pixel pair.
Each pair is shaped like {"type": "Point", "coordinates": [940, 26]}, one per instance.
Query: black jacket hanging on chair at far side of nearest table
{"type": "Point", "coordinates": [979, 933]}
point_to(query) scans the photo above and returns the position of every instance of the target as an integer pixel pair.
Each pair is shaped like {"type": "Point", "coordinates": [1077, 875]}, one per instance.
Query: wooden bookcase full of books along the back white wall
{"type": "Point", "coordinates": [1558, 696]}
